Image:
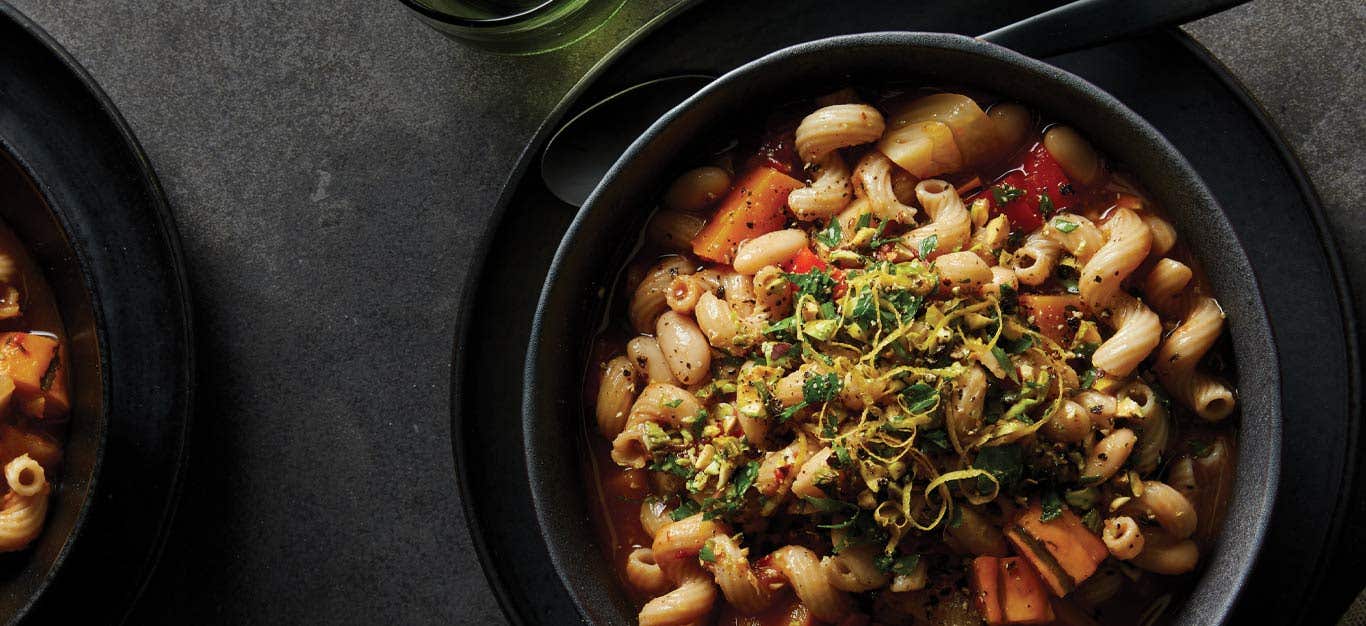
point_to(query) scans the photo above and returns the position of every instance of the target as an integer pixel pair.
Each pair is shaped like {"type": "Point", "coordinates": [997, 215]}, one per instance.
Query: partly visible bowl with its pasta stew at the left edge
{"type": "Point", "coordinates": [51, 392]}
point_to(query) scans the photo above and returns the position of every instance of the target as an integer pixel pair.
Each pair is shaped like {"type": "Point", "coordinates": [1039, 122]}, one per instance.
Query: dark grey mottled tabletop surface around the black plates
{"type": "Point", "coordinates": [330, 166]}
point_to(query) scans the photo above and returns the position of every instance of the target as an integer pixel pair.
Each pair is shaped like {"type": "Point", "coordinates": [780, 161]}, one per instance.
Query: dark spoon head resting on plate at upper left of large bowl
{"type": "Point", "coordinates": [587, 147]}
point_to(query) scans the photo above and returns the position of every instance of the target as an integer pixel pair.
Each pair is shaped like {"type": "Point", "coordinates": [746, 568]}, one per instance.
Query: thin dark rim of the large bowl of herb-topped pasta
{"type": "Point", "coordinates": [1262, 498]}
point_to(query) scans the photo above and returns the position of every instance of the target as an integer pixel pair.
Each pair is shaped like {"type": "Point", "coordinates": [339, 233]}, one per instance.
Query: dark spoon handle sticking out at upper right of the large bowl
{"type": "Point", "coordinates": [1087, 24]}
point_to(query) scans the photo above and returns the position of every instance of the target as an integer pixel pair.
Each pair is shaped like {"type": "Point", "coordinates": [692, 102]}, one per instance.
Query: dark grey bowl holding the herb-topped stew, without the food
{"type": "Point", "coordinates": [600, 239]}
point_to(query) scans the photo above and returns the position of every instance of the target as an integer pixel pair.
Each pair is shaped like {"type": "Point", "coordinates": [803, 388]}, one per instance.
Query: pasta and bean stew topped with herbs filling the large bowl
{"type": "Point", "coordinates": [975, 379]}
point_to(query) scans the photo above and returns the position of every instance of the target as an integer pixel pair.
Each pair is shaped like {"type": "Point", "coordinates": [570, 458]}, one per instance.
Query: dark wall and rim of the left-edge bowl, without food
{"type": "Point", "coordinates": [25, 210]}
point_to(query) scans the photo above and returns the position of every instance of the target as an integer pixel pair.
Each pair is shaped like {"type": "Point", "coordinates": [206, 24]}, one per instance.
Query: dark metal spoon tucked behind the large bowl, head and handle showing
{"type": "Point", "coordinates": [585, 148]}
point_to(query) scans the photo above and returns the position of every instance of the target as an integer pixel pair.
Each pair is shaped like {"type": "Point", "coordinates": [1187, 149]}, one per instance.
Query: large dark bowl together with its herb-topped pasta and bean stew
{"type": "Point", "coordinates": [909, 366]}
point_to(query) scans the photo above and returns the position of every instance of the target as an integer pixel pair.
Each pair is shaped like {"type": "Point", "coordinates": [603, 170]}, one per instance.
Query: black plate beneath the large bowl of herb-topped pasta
{"type": "Point", "coordinates": [1165, 77]}
